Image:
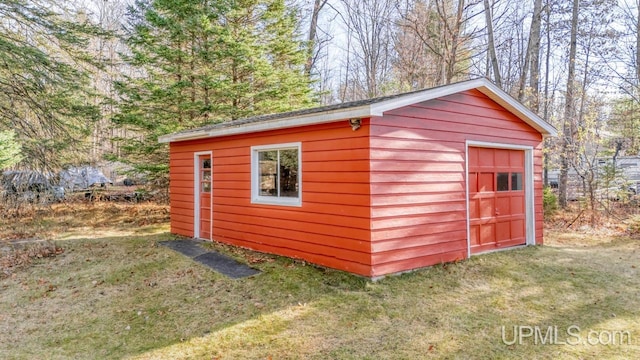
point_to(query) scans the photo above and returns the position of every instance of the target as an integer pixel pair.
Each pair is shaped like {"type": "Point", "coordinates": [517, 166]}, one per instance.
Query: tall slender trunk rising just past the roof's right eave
{"type": "Point", "coordinates": [567, 129]}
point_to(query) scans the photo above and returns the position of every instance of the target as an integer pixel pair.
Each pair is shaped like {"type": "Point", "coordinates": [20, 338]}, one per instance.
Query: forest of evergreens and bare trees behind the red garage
{"type": "Point", "coordinates": [99, 80]}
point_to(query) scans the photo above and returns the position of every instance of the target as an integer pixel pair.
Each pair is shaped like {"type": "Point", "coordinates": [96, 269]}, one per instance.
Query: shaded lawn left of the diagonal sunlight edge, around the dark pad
{"type": "Point", "coordinates": [121, 296]}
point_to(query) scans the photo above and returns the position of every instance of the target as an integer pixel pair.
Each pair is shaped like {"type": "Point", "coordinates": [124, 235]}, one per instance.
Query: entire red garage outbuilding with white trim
{"type": "Point", "coordinates": [372, 187]}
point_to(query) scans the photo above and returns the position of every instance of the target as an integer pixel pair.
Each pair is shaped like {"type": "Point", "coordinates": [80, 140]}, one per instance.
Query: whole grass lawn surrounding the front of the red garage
{"type": "Point", "coordinates": [123, 296]}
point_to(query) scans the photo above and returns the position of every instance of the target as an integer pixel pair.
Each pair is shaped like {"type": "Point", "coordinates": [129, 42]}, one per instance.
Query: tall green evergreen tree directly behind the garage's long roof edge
{"type": "Point", "coordinates": [203, 62]}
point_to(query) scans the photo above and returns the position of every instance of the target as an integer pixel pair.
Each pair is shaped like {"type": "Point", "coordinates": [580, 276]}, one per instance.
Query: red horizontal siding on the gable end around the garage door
{"type": "Point", "coordinates": [418, 175]}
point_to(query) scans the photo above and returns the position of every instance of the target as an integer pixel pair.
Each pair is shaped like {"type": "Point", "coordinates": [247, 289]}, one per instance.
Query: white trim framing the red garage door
{"type": "Point", "coordinates": [529, 190]}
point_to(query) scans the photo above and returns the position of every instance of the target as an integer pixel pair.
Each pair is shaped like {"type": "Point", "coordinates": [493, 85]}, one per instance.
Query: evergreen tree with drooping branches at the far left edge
{"type": "Point", "coordinates": [43, 85]}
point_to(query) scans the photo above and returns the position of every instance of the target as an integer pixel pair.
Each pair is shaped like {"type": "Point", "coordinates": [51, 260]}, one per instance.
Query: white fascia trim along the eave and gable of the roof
{"type": "Point", "coordinates": [375, 109]}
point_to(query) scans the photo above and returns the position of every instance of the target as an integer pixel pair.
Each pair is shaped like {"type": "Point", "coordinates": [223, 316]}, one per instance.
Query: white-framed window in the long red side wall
{"type": "Point", "coordinates": [276, 174]}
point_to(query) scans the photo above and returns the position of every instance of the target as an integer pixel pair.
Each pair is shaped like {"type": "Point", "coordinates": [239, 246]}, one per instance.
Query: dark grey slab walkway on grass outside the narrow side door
{"type": "Point", "coordinates": [214, 260]}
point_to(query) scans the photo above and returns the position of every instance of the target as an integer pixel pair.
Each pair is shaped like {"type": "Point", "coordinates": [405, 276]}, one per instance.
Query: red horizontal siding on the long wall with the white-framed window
{"type": "Point", "coordinates": [332, 227]}
